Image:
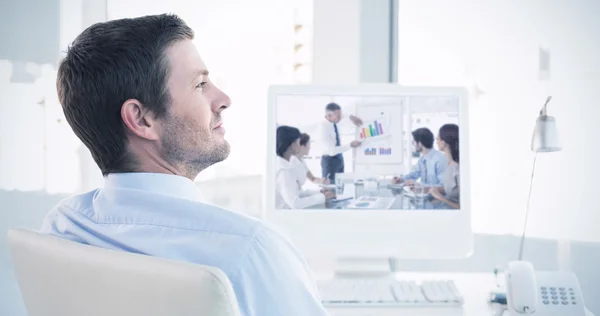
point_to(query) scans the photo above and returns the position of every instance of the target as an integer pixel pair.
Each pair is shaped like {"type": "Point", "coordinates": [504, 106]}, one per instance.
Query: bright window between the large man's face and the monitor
{"type": "Point", "coordinates": [248, 45]}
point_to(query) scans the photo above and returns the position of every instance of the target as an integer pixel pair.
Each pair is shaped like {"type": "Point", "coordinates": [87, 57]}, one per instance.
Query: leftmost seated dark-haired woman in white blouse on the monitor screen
{"type": "Point", "coordinates": [287, 192]}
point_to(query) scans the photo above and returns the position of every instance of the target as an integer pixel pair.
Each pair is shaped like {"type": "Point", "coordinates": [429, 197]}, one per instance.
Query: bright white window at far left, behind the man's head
{"type": "Point", "coordinates": [38, 150]}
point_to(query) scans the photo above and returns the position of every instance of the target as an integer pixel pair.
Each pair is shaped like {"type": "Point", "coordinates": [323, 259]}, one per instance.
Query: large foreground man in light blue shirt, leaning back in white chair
{"type": "Point", "coordinates": [138, 95]}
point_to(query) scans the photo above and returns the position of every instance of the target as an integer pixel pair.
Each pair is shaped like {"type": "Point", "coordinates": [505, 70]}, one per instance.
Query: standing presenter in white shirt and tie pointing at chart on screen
{"type": "Point", "coordinates": [332, 160]}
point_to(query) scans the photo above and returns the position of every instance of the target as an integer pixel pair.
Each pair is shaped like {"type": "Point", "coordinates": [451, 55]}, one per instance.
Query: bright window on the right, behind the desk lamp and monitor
{"type": "Point", "coordinates": [511, 55]}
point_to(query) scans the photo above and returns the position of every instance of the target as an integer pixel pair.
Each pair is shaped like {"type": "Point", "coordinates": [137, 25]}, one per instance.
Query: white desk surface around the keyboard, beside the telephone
{"type": "Point", "coordinates": [474, 287]}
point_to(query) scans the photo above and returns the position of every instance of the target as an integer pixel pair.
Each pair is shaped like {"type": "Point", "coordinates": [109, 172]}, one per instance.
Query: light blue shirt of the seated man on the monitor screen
{"type": "Point", "coordinates": [430, 168]}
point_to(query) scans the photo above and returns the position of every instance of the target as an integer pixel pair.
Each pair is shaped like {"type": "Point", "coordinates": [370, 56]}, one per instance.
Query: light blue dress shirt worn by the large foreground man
{"type": "Point", "coordinates": [163, 215]}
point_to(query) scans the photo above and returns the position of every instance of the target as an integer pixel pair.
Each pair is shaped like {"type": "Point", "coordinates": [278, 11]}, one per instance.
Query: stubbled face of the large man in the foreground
{"type": "Point", "coordinates": [192, 137]}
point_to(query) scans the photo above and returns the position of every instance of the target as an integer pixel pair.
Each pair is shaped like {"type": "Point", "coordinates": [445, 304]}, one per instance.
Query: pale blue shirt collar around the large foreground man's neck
{"type": "Point", "coordinates": [162, 183]}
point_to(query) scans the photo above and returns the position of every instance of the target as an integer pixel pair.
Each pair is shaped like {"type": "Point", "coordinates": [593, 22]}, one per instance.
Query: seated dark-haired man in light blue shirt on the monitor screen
{"type": "Point", "coordinates": [431, 165]}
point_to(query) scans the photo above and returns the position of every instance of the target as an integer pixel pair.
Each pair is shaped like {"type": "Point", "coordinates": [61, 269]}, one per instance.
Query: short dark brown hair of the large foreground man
{"type": "Point", "coordinates": [107, 64]}
